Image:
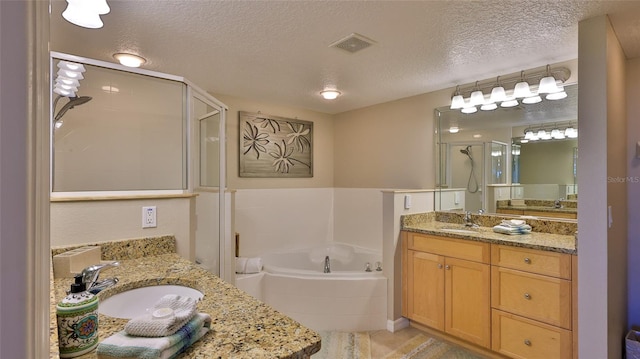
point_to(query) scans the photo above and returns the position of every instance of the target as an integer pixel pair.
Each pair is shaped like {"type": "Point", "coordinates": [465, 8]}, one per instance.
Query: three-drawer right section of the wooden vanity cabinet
{"type": "Point", "coordinates": [533, 302]}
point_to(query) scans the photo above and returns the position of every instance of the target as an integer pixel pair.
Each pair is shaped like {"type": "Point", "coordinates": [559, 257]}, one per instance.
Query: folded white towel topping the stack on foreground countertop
{"type": "Point", "coordinates": [168, 315]}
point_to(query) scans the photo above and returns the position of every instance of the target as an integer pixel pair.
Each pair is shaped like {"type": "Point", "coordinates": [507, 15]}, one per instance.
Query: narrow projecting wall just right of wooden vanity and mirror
{"type": "Point", "coordinates": [602, 267]}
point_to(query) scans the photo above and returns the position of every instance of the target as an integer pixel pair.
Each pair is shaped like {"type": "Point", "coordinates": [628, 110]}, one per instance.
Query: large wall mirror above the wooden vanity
{"type": "Point", "coordinates": [506, 155]}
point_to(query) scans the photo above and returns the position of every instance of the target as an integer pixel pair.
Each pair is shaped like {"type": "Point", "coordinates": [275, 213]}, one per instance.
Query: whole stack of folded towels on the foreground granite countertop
{"type": "Point", "coordinates": [171, 327]}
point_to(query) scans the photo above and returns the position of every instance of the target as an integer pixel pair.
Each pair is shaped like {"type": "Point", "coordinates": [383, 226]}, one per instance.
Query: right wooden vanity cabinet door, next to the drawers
{"type": "Point", "coordinates": [467, 301]}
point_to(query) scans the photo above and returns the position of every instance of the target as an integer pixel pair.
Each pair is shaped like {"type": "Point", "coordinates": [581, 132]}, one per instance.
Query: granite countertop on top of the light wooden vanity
{"type": "Point", "coordinates": [561, 243]}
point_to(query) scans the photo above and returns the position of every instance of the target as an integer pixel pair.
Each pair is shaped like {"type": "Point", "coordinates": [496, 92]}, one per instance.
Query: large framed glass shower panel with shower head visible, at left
{"type": "Point", "coordinates": [118, 131]}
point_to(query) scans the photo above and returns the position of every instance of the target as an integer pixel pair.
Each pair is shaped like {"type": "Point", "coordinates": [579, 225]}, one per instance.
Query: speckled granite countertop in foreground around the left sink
{"type": "Point", "coordinates": [241, 327]}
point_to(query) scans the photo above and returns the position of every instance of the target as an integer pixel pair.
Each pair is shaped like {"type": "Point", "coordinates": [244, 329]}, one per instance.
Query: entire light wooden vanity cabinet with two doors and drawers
{"type": "Point", "coordinates": [517, 302]}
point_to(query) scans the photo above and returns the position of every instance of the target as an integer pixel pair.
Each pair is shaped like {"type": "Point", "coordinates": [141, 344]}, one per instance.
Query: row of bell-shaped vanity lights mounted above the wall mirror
{"type": "Point", "coordinates": [521, 89]}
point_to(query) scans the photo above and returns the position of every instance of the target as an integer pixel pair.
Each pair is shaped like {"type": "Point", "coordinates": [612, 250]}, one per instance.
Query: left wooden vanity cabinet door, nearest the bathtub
{"type": "Point", "coordinates": [425, 282]}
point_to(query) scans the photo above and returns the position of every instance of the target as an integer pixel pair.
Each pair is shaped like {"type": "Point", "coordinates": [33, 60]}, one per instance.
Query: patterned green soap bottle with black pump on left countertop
{"type": "Point", "coordinates": [77, 317]}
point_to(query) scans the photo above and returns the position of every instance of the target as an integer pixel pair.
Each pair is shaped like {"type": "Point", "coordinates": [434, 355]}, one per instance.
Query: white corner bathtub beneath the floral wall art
{"type": "Point", "coordinates": [347, 299]}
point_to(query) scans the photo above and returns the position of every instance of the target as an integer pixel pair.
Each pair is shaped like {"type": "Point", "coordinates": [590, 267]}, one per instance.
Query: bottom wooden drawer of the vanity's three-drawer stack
{"type": "Point", "coordinates": [519, 337]}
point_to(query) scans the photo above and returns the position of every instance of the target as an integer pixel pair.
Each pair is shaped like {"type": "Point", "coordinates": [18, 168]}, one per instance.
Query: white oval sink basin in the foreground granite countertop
{"type": "Point", "coordinates": [135, 302]}
